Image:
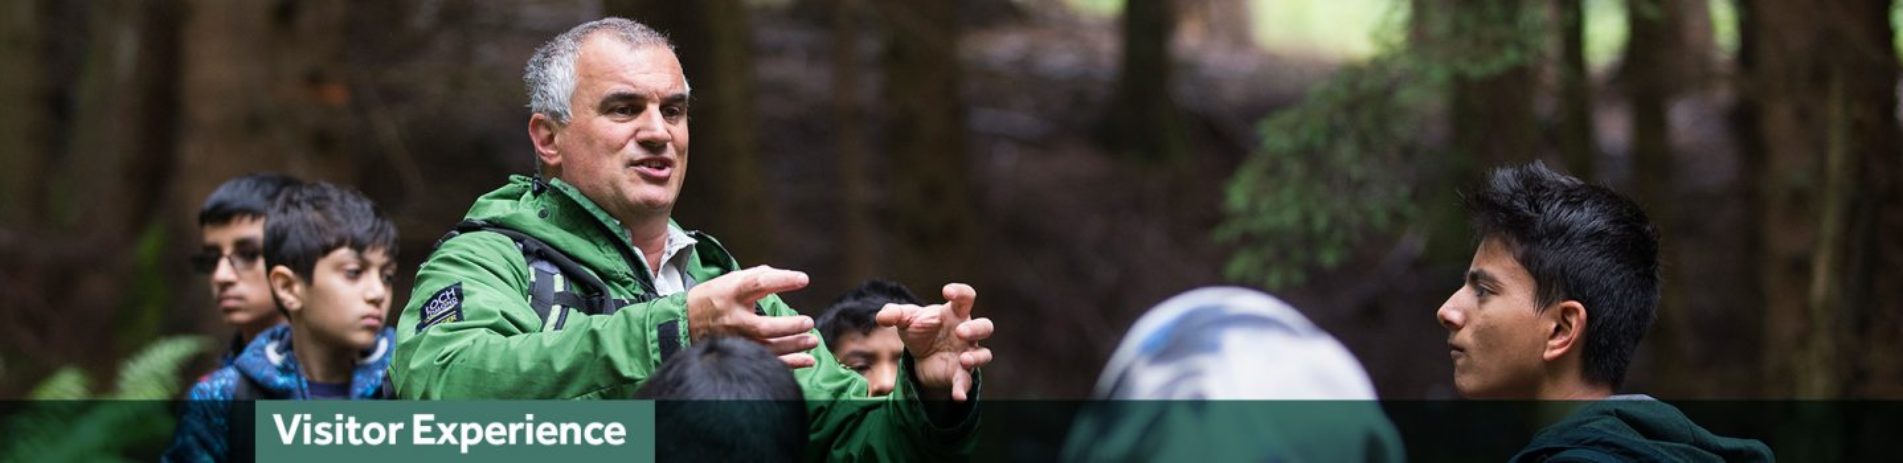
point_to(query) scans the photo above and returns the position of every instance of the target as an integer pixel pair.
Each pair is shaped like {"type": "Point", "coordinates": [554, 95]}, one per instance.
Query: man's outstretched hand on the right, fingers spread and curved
{"type": "Point", "coordinates": [943, 340]}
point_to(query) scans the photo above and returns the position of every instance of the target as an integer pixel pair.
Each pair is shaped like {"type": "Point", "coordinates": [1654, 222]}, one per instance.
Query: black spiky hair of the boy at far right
{"type": "Point", "coordinates": [1580, 243]}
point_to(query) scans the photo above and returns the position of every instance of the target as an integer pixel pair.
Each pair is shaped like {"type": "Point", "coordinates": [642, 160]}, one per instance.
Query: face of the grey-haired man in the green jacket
{"type": "Point", "coordinates": [625, 146]}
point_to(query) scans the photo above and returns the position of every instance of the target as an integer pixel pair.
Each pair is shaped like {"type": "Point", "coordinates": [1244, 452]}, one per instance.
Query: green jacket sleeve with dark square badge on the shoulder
{"type": "Point", "coordinates": [482, 340]}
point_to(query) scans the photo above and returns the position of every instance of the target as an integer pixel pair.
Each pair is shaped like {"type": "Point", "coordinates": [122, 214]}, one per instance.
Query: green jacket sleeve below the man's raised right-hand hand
{"type": "Point", "coordinates": [850, 426]}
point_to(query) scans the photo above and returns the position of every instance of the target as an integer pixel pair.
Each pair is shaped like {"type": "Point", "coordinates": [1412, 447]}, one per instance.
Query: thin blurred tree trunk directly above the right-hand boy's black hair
{"type": "Point", "coordinates": [1579, 144]}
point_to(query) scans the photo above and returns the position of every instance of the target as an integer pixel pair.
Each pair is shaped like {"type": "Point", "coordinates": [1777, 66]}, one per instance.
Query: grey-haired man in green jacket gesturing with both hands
{"type": "Point", "coordinates": [581, 287]}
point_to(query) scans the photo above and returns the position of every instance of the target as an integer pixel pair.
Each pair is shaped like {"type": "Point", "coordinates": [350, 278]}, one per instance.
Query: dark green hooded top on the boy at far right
{"type": "Point", "coordinates": [1638, 430]}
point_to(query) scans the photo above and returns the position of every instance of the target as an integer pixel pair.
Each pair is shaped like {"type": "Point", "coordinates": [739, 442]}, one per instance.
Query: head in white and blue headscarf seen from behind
{"type": "Point", "coordinates": [1291, 392]}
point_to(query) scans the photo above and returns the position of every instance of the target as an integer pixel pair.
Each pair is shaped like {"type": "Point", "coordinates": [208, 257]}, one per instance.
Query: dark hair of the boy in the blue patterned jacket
{"type": "Point", "coordinates": [313, 220]}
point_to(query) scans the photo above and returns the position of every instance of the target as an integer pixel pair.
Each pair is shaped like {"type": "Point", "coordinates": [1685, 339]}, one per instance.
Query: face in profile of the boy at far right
{"type": "Point", "coordinates": [1495, 327]}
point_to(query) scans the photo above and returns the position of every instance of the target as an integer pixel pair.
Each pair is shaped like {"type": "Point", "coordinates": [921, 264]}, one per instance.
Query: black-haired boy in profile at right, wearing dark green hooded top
{"type": "Point", "coordinates": [1561, 289]}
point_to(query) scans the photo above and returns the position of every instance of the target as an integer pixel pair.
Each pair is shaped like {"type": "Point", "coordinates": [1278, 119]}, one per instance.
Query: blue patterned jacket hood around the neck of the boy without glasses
{"type": "Point", "coordinates": [269, 363]}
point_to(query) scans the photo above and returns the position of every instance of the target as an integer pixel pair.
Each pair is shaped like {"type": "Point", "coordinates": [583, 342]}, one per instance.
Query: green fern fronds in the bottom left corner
{"type": "Point", "coordinates": [69, 424]}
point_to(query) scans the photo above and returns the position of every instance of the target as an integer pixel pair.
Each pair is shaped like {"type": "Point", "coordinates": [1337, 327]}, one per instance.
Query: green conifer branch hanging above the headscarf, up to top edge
{"type": "Point", "coordinates": [1346, 163]}
